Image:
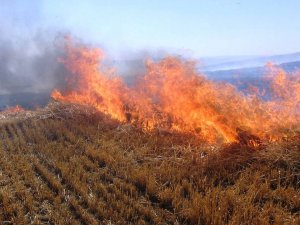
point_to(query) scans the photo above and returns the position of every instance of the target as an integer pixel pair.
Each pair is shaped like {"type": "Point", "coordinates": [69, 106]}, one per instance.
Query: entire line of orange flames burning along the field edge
{"type": "Point", "coordinates": [172, 95]}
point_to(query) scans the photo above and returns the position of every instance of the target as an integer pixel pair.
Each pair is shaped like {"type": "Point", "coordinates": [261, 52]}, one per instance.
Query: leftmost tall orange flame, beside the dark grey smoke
{"type": "Point", "coordinates": [90, 86]}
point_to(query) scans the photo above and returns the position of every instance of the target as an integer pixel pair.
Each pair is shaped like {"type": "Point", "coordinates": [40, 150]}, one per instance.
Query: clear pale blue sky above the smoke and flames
{"type": "Point", "coordinates": [198, 28]}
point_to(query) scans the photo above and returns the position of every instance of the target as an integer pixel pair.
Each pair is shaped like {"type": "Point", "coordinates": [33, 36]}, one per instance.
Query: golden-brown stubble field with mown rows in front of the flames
{"type": "Point", "coordinates": [88, 169]}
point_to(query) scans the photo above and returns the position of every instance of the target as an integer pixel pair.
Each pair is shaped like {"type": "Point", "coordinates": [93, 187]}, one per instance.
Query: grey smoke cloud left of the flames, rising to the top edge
{"type": "Point", "coordinates": [29, 52]}
